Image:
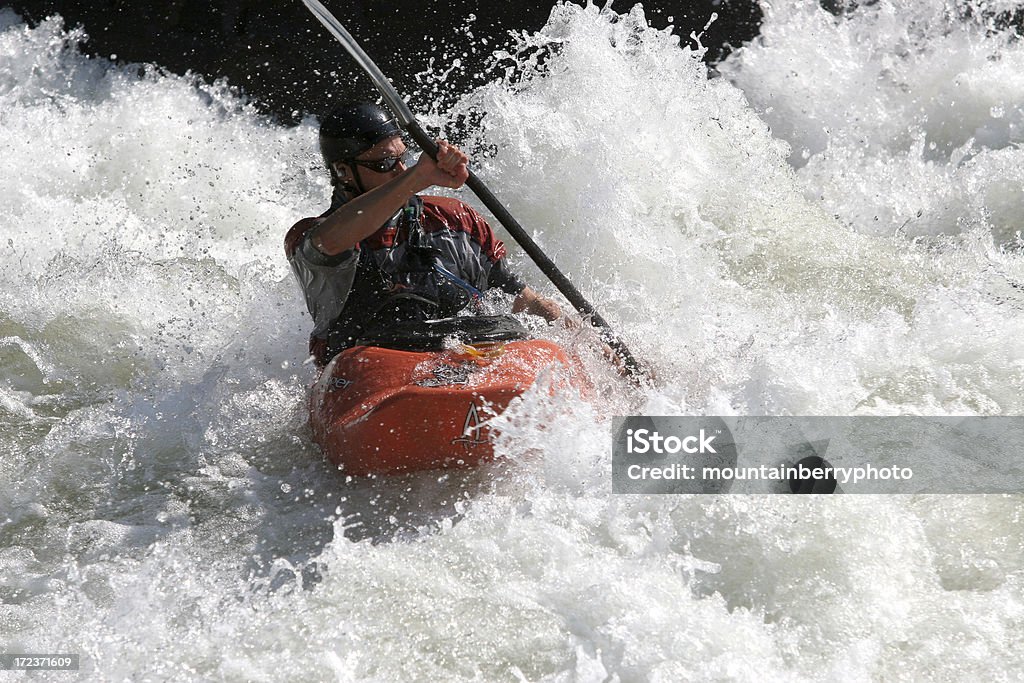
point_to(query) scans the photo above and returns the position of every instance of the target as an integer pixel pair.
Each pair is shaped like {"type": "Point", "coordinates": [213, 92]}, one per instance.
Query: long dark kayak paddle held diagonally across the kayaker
{"type": "Point", "coordinates": [408, 121]}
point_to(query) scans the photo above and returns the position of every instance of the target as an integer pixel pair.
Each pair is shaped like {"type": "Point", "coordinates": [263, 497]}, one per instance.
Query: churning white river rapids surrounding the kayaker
{"type": "Point", "coordinates": [830, 227]}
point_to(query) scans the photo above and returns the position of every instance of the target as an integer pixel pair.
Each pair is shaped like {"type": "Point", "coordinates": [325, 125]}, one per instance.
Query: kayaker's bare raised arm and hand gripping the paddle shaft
{"type": "Point", "coordinates": [364, 216]}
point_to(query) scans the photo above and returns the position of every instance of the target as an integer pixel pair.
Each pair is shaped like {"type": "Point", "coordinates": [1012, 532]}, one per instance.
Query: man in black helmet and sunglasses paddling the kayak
{"type": "Point", "coordinates": [382, 254]}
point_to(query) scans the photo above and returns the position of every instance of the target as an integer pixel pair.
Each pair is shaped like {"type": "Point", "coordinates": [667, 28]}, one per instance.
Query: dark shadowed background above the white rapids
{"type": "Point", "coordinates": [277, 54]}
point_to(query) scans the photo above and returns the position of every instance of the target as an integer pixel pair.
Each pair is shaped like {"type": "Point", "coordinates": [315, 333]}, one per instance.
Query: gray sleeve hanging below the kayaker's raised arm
{"type": "Point", "coordinates": [326, 282]}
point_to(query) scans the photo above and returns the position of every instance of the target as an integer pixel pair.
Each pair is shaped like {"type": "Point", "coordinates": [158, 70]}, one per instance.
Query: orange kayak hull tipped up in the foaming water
{"type": "Point", "coordinates": [415, 404]}
